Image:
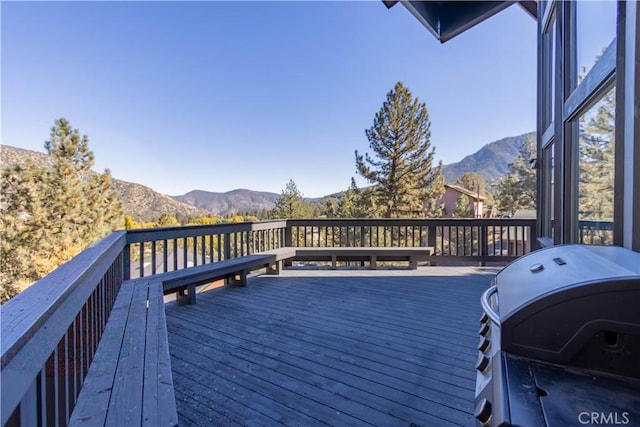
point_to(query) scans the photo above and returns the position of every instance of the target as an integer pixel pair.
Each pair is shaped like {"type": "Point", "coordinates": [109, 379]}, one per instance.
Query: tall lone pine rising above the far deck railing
{"type": "Point", "coordinates": [402, 166]}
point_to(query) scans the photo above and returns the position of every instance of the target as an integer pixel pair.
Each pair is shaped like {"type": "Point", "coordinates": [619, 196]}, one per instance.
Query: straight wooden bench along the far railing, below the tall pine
{"type": "Point", "coordinates": [371, 254]}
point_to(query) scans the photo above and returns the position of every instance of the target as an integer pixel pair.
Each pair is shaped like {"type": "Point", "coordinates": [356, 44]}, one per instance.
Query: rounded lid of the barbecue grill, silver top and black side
{"type": "Point", "coordinates": [573, 305]}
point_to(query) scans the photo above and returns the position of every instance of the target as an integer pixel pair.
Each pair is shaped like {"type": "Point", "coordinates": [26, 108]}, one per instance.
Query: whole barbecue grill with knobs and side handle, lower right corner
{"type": "Point", "coordinates": [560, 340]}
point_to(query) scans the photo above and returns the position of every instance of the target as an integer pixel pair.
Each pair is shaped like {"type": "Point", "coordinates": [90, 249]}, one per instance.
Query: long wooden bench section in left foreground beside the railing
{"type": "Point", "coordinates": [129, 382]}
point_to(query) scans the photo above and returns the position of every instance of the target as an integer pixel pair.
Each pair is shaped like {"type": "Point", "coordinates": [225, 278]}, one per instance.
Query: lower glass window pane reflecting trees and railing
{"type": "Point", "coordinates": [596, 171]}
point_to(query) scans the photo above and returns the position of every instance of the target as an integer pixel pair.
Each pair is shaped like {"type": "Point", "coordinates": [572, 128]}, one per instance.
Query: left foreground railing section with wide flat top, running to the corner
{"type": "Point", "coordinates": [50, 333]}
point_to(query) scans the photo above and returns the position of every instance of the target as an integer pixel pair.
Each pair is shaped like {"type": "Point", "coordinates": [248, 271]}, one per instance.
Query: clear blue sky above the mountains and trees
{"type": "Point", "coordinates": [223, 95]}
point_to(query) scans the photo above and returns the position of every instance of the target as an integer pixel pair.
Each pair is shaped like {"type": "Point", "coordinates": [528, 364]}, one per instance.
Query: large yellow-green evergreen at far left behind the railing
{"type": "Point", "coordinates": [49, 215]}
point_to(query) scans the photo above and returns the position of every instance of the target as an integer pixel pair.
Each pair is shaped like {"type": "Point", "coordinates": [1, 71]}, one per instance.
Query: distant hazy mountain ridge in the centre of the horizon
{"type": "Point", "coordinates": [229, 202]}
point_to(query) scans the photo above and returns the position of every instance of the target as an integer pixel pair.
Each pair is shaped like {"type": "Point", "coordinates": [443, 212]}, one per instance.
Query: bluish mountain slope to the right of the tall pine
{"type": "Point", "coordinates": [491, 161]}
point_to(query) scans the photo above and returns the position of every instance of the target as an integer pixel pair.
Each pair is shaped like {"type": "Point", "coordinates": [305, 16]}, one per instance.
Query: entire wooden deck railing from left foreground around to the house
{"type": "Point", "coordinates": [50, 332]}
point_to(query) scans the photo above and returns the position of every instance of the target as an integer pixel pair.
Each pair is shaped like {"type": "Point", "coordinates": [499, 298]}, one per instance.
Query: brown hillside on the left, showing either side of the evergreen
{"type": "Point", "coordinates": [141, 202]}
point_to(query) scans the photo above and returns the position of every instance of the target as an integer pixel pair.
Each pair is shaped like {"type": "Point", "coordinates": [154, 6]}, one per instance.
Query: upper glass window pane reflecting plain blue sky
{"type": "Point", "coordinates": [595, 30]}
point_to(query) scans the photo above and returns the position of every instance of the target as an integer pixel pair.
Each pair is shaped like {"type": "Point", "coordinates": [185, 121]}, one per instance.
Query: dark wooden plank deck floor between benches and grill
{"type": "Point", "coordinates": [346, 347]}
